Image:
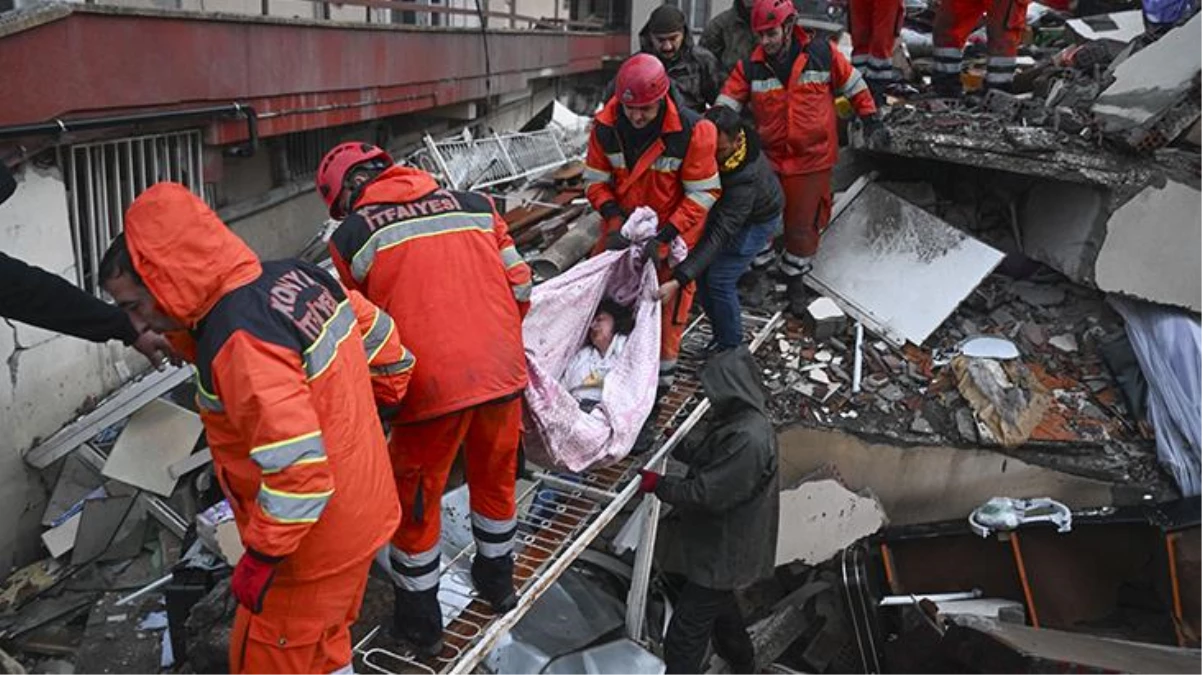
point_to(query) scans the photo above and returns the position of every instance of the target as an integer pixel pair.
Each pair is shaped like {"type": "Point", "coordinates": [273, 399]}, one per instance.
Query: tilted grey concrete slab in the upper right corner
{"type": "Point", "coordinates": [1153, 81]}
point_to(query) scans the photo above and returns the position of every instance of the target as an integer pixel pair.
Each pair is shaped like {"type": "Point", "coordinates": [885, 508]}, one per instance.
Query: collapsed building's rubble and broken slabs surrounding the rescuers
{"type": "Point", "coordinates": [990, 289]}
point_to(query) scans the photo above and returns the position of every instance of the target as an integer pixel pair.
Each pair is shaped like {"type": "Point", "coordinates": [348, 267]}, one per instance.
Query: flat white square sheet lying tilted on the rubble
{"type": "Point", "coordinates": [880, 240]}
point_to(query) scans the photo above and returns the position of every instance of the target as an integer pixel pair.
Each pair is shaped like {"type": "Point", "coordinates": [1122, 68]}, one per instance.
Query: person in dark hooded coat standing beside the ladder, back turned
{"type": "Point", "coordinates": [722, 533]}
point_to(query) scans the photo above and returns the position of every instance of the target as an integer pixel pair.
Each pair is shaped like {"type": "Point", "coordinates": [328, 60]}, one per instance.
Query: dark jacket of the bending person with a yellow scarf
{"type": "Point", "coordinates": [751, 196]}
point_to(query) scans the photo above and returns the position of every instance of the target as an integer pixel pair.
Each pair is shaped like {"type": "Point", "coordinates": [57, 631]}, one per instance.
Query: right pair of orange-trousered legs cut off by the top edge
{"type": "Point", "coordinates": [956, 20]}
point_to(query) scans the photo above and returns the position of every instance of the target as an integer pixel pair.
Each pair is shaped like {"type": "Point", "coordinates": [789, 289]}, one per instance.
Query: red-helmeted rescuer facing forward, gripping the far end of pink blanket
{"type": "Point", "coordinates": [646, 151]}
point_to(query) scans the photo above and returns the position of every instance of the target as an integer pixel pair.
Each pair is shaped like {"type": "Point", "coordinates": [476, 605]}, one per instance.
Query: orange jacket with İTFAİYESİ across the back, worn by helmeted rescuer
{"type": "Point", "coordinates": [442, 264]}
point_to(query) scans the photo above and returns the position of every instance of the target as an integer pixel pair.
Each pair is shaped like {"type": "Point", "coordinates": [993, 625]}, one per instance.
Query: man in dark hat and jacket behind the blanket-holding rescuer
{"type": "Point", "coordinates": [695, 74]}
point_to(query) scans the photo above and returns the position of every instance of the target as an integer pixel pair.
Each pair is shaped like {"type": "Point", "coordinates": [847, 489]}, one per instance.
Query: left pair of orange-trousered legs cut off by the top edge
{"type": "Point", "coordinates": [876, 26]}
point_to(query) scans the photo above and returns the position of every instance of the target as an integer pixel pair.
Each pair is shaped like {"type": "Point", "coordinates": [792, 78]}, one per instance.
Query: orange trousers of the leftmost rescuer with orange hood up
{"type": "Point", "coordinates": [305, 628]}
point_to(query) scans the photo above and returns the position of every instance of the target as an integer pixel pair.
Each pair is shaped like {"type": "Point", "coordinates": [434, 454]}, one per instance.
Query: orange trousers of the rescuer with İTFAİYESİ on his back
{"type": "Point", "coordinates": [423, 455]}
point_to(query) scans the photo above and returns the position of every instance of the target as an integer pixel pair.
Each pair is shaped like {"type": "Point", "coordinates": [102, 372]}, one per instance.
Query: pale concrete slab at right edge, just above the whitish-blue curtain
{"type": "Point", "coordinates": [1151, 247]}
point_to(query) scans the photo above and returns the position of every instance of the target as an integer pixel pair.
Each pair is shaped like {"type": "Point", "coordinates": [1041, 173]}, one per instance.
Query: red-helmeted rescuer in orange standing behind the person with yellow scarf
{"type": "Point", "coordinates": [790, 83]}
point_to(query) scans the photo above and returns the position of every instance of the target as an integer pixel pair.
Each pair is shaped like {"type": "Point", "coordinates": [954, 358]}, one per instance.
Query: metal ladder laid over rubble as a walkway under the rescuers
{"type": "Point", "coordinates": [560, 516]}
